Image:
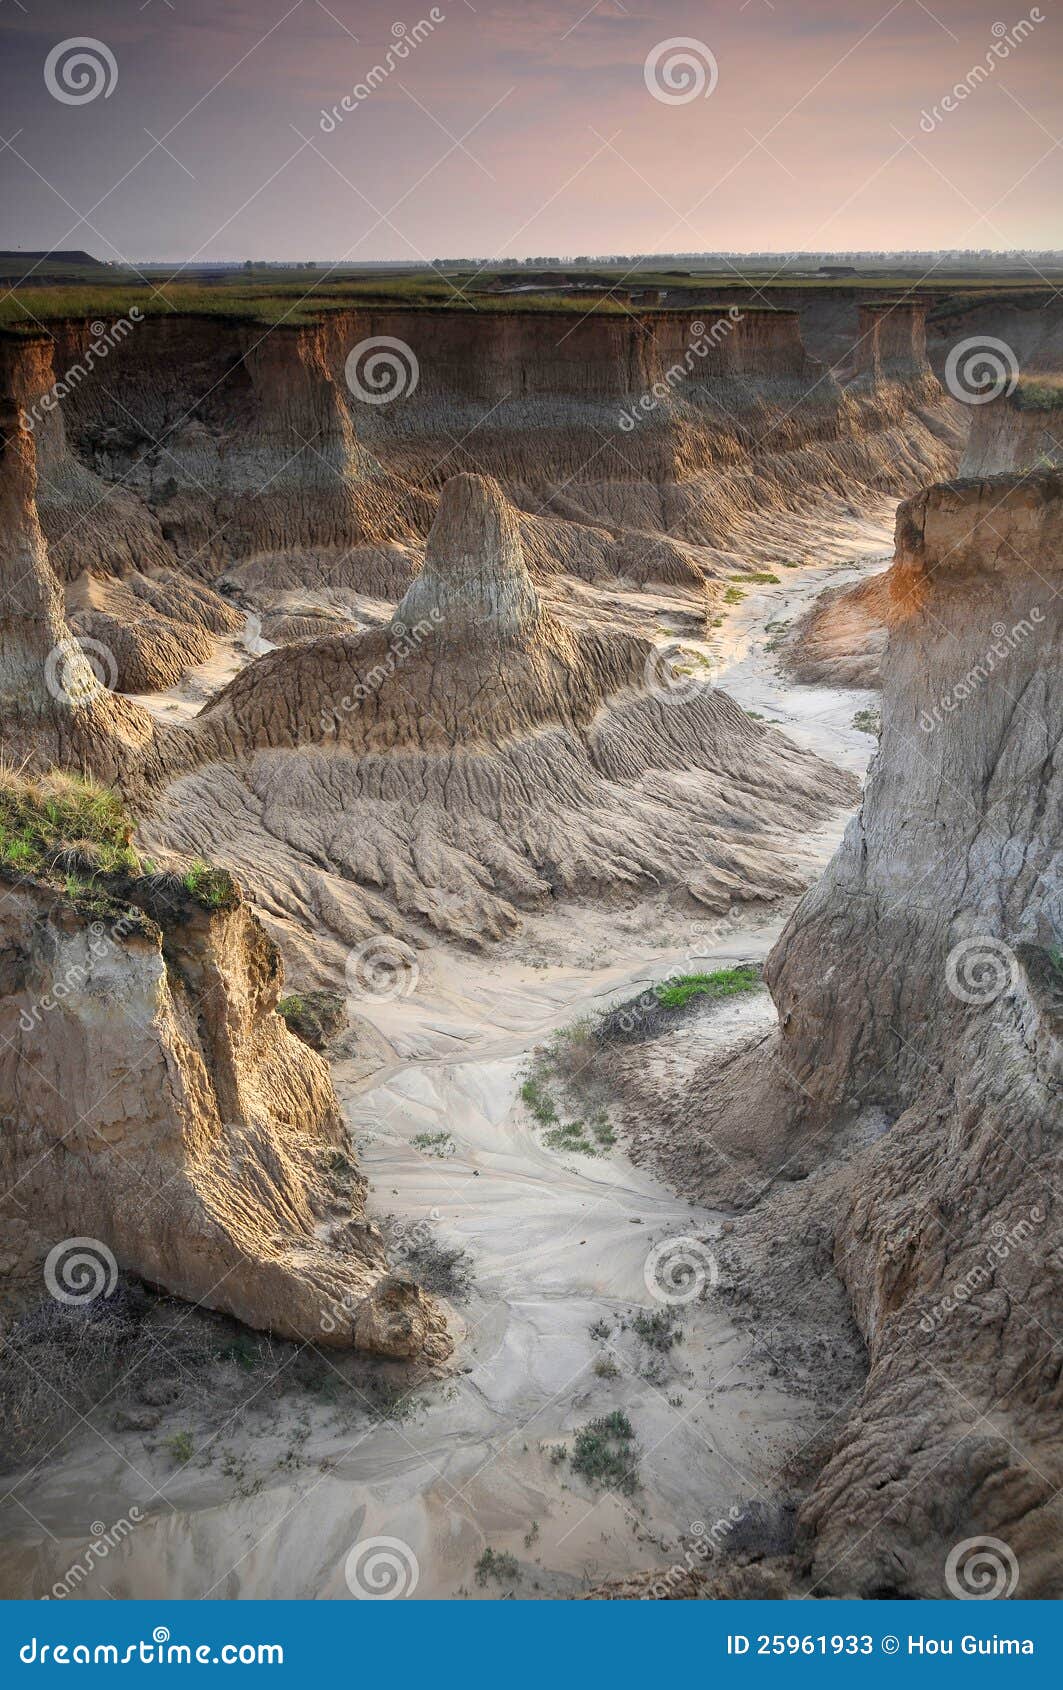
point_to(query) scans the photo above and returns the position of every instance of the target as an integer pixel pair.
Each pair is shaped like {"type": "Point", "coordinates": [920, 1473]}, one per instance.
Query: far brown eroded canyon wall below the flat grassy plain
{"type": "Point", "coordinates": [251, 440]}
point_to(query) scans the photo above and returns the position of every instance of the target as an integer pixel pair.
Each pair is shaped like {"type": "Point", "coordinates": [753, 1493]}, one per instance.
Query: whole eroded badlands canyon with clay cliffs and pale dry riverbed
{"type": "Point", "coordinates": [469, 695]}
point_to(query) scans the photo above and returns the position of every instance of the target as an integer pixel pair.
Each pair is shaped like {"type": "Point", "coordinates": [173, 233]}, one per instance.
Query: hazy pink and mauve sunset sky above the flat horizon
{"type": "Point", "coordinates": [516, 129]}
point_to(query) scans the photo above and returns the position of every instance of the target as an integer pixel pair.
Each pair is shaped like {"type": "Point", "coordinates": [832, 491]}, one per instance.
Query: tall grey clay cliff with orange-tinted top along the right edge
{"type": "Point", "coordinates": [915, 1086]}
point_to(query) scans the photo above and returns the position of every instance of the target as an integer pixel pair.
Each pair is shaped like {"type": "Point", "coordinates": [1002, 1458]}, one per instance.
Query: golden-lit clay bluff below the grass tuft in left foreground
{"type": "Point", "coordinates": [156, 1103]}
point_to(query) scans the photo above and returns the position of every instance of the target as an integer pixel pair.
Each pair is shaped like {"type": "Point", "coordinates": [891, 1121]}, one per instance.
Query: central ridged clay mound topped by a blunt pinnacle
{"type": "Point", "coordinates": [476, 761]}
